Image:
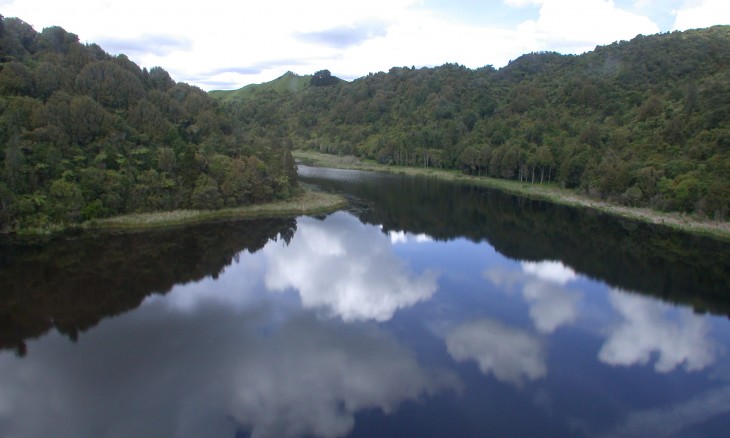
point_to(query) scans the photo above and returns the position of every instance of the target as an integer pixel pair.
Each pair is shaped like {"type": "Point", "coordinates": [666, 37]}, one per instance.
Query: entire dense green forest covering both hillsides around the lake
{"type": "Point", "coordinates": [85, 135]}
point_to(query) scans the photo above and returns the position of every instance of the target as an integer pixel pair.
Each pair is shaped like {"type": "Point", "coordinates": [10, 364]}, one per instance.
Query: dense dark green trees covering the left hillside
{"type": "Point", "coordinates": [85, 135]}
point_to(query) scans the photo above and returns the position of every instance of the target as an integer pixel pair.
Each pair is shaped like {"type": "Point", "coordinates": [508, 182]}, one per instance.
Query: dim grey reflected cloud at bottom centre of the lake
{"type": "Point", "coordinates": [314, 381]}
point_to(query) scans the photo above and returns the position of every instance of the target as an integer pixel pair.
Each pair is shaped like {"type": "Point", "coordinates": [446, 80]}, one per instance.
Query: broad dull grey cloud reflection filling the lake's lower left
{"type": "Point", "coordinates": [208, 375]}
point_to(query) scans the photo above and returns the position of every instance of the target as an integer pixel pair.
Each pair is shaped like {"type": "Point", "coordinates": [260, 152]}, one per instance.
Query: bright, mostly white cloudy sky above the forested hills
{"type": "Point", "coordinates": [223, 44]}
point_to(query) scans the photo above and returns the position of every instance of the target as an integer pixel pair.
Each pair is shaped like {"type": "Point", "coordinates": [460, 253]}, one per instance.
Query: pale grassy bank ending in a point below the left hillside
{"type": "Point", "coordinates": [308, 203]}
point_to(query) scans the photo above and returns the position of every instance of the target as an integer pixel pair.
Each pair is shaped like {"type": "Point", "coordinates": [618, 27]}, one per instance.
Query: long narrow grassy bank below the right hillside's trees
{"type": "Point", "coordinates": [548, 192]}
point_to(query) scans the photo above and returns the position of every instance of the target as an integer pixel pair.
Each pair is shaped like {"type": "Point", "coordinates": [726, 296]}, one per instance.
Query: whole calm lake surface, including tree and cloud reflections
{"type": "Point", "coordinates": [425, 309]}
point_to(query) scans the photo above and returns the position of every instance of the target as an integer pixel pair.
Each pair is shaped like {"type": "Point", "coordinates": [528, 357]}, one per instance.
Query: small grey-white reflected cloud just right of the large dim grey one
{"type": "Point", "coordinates": [510, 354]}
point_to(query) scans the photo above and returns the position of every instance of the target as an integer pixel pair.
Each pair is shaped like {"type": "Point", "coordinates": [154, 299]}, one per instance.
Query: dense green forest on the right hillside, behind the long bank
{"type": "Point", "coordinates": [644, 122]}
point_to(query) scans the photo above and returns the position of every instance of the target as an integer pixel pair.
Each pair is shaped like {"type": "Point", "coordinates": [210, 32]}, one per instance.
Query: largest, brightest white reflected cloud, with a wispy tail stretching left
{"type": "Point", "coordinates": [351, 273]}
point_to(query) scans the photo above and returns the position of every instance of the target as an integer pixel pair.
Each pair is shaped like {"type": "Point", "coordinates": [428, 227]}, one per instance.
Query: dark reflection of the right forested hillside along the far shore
{"type": "Point", "coordinates": [654, 260]}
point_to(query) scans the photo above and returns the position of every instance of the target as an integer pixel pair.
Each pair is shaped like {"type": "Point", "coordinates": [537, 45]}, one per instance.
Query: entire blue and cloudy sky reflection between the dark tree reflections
{"type": "Point", "coordinates": [350, 329]}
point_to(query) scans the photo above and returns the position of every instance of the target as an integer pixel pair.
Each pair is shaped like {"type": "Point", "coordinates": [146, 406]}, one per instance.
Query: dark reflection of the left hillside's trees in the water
{"type": "Point", "coordinates": [73, 284]}
